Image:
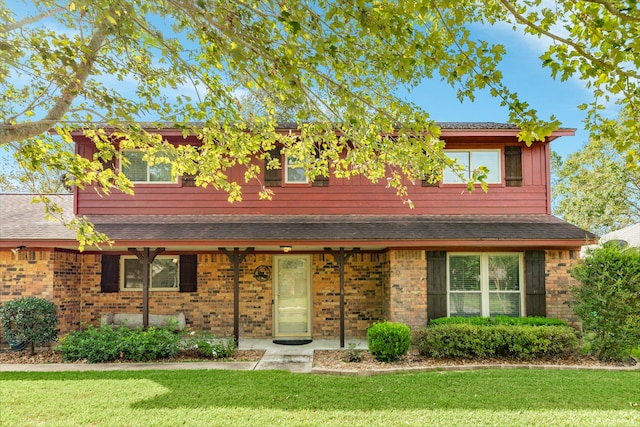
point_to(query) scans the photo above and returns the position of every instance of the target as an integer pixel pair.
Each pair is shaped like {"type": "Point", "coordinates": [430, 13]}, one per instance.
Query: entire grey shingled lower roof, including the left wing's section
{"type": "Point", "coordinates": [23, 223]}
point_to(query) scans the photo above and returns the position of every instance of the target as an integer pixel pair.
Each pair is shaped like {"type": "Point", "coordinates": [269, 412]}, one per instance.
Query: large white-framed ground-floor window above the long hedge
{"type": "Point", "coordinates": [485, 284]}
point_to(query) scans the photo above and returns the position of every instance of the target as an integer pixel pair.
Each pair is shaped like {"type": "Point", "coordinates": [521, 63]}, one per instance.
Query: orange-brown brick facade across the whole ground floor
{"type": "Point", "coordinates": [379, 286]}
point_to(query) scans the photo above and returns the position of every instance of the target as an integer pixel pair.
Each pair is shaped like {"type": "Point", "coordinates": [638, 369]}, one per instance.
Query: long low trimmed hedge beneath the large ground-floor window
{"type": "Point", "coordinates": [467, 341]}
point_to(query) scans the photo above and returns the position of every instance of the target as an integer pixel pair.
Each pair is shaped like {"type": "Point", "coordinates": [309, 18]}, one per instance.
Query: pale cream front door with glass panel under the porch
{"type": "Point", "coordinates": [292, 300]}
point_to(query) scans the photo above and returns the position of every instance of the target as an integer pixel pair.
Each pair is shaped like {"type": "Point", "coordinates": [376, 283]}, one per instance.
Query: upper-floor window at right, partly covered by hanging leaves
{"type": "Point", "coordinates": [470, 160]}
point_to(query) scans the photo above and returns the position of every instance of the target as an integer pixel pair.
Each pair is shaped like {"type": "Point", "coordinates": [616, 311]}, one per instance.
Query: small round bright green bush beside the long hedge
{"type": "Point", "coordinates": [389, 341]}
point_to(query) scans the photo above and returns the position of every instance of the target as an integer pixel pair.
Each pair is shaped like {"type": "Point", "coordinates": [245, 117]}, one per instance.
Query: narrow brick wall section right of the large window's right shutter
{"type": "Point", "coordinates": [559, 282]}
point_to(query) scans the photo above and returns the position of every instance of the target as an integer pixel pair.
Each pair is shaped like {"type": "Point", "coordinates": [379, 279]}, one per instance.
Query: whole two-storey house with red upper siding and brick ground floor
{"type": "Point", "coordinates": [323, 259]}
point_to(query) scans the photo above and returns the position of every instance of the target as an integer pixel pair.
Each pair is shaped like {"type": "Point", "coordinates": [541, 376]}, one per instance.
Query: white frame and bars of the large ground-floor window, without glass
{"type": "Point", "coordinates": [484, 280]}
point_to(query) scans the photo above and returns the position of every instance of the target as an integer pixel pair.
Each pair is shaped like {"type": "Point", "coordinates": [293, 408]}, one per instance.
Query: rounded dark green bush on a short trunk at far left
{"type": "Point", "coordinates": [29, 320]}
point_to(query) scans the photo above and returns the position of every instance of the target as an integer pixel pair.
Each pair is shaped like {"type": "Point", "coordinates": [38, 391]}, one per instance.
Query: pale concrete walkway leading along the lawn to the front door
{"type": "Point", "coordinates": [292, 358]}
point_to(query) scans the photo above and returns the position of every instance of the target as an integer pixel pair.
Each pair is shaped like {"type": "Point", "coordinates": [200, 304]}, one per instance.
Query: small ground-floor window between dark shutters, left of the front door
{"type": "Point", "coordinates": [164, 275]}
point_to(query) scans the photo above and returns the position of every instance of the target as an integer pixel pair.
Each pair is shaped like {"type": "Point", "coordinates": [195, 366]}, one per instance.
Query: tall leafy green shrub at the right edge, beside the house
{"type": "Point", "coordinates": [608, 302]}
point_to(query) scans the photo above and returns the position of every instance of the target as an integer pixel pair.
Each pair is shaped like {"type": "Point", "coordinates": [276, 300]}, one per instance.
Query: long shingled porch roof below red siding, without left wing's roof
{"type": "Point", "coordinates": [347, 230]}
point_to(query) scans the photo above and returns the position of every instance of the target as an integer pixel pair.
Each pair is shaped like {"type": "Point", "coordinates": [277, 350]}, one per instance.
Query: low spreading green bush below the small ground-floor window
{"type": "Point", "coordinates": [106, 344]}
